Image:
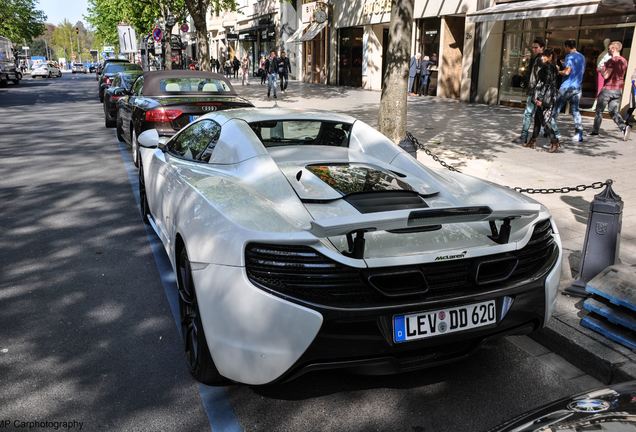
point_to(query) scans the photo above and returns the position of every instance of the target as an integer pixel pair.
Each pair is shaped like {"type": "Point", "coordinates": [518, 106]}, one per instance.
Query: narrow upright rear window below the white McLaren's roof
{"type": "Point", "coordinates": [302, 132]}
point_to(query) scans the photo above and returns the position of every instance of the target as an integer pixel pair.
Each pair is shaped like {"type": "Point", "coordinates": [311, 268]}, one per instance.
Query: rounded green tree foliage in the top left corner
{"type": "Point", "coordinates": [21, 20]}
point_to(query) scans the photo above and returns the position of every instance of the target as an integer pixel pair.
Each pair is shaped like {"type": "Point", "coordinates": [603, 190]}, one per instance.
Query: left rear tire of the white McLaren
{"type": "Point", "coordinates": [198, 356]}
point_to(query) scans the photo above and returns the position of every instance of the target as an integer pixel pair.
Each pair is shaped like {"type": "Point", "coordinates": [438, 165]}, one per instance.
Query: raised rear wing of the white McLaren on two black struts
{"type": "Point", "coordinates": [401, 220]}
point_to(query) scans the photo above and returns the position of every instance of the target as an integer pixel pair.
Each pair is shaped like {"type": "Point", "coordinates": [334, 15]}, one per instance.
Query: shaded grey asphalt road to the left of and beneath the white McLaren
{"type": "Point", "coordinates": [87, 333]}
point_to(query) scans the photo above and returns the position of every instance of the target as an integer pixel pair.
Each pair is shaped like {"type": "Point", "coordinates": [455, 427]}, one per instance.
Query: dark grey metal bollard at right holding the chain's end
{"type": "Point", "coordinates": [602, 238]}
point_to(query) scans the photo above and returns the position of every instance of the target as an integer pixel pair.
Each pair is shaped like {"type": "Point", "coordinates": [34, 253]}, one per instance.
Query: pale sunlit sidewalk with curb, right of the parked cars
{"type": "Point", "coordinates": [477, 139]}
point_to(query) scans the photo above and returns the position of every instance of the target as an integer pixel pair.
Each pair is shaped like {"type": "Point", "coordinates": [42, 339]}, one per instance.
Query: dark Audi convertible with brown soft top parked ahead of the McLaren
{"type": "Point", "coordinates": [169, 100]}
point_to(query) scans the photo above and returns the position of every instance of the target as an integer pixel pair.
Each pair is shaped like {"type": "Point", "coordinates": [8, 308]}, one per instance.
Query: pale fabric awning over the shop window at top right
{"type": "Point", "coordinates": [533, 9]}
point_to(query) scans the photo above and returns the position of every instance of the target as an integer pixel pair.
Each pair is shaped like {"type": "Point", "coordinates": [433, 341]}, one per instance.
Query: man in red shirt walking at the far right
{"type": "Point", "coordinates": [613, 70]}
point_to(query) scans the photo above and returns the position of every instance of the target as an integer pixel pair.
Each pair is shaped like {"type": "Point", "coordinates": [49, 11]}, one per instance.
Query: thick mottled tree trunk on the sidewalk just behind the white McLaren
{"type": "Point", "coordinates": [392, 115]}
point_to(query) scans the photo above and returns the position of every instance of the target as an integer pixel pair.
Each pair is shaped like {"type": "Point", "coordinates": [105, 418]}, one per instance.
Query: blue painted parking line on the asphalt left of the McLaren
{"type": "Point", "coordinates": [214, 399]}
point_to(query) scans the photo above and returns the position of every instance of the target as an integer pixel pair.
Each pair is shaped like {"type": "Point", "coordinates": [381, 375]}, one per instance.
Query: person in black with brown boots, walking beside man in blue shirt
{"type": "Point", "coordinates": [544, 98]}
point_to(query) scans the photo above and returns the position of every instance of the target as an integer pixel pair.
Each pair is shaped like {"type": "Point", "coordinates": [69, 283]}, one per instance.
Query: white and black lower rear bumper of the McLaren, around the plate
{"type": "Point", "coordinates": [256, 337]}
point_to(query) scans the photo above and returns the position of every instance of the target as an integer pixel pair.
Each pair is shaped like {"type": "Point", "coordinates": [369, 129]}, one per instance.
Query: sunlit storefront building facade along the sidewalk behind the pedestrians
{"type": "Point", "coordinates": [482, 46]}
